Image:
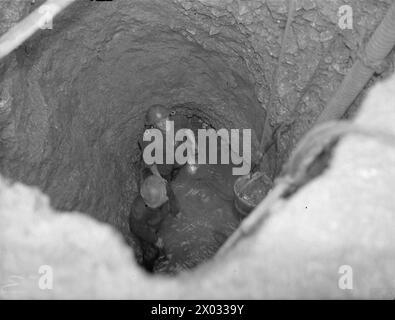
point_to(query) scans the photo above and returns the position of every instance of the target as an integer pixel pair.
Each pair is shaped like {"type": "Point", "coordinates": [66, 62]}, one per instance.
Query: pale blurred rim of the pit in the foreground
{"type": "Point", "coordinates": [343, 218]}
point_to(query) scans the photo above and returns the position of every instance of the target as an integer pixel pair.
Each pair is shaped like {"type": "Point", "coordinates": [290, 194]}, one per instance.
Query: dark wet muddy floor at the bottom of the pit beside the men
{"type": "Point", "coordinates": [206, 216]}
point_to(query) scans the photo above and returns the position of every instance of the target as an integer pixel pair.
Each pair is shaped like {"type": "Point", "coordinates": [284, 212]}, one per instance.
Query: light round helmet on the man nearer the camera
{"type": "Point", "coordinates": [153, 191]}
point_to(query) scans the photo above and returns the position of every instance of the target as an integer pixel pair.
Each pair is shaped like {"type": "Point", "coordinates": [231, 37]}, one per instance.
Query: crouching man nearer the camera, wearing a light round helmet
{"type": "Point", "coordinates": [155, 202]}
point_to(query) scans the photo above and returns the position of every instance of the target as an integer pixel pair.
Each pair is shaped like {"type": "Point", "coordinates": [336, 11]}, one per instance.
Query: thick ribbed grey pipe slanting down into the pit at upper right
{"type": "Point", "coordinates": [377, 49]}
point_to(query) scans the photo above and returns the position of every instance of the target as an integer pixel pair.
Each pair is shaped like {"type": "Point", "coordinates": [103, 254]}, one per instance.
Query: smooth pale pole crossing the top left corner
{"type": "Point", "coordinates": [35, 21]}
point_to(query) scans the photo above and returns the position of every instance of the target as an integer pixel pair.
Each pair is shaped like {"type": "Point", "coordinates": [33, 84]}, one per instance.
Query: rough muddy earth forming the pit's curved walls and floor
{"type": "Point", "coordinates": [73, 99]}
